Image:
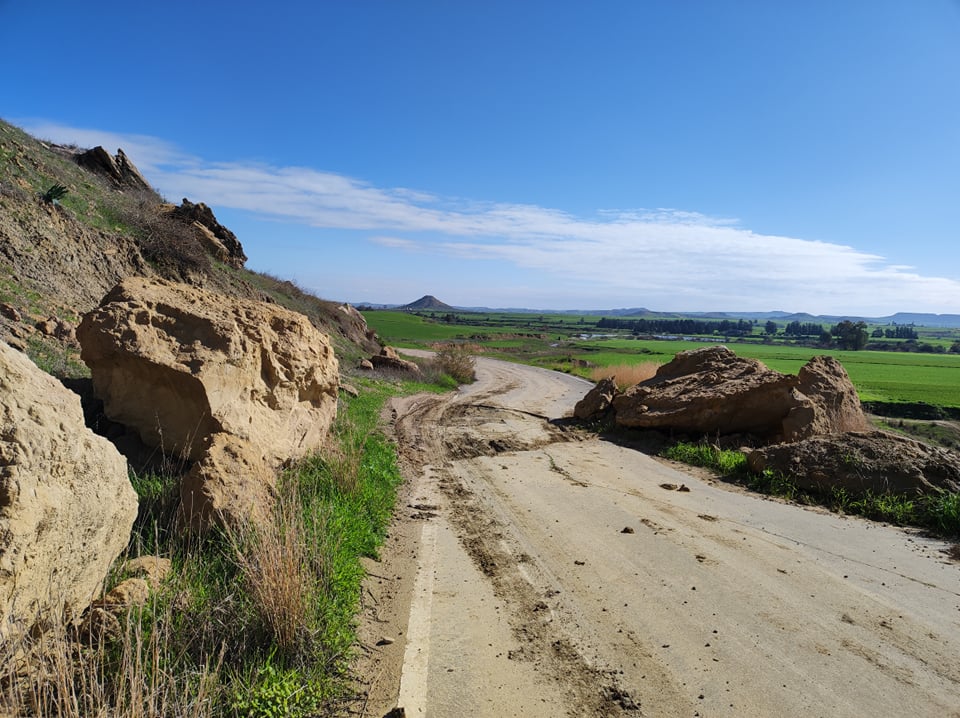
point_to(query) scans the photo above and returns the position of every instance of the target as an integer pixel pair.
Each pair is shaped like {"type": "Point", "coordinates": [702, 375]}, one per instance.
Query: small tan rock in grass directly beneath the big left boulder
{"type": "Point", "coordinates": [231, 485]}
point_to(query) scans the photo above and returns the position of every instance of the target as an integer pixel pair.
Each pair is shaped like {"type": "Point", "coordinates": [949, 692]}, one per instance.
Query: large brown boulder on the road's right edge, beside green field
{"type": "Point", "coordinates": [713, 391]}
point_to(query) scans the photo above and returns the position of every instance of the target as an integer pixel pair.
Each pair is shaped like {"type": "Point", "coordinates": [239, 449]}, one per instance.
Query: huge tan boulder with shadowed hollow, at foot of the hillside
{"type": "Point", "coordinates": [180, 364]}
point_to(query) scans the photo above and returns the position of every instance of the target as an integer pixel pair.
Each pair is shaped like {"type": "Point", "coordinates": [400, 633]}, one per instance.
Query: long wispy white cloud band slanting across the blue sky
{"type": "Point", "coordinates": [672, 258]}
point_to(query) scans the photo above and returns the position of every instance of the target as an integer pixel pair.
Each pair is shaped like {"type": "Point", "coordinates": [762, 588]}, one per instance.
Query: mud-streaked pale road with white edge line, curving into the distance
{"type": "Point", "coordinates": [536, 571]}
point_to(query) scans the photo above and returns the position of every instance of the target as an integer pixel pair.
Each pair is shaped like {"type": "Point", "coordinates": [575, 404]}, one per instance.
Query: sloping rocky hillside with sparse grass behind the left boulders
{"type": "Point", "coordinates": [74, 222]}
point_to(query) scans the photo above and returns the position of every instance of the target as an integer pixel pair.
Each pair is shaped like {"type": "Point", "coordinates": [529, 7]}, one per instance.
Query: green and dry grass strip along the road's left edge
{"type": "Point", "coordinates": [250, 623]}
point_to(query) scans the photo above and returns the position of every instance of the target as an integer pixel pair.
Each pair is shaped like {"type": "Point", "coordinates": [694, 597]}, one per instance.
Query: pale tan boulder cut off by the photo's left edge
{"type": "Point", "coordinates": [66, 503]}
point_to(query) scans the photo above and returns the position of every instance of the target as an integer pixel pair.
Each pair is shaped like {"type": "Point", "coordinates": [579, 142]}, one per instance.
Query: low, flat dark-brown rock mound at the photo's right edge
{"type": "Point", "coordinates": [860, 461]}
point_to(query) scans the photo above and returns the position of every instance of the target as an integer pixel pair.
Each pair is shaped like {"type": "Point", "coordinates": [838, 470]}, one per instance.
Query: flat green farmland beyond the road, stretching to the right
{"type": "Point", "coordinates": [553, 341]}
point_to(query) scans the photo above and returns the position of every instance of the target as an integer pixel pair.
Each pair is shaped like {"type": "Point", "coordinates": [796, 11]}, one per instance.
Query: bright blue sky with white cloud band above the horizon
{"type": "Point", "coordinates": [677, 155]}
